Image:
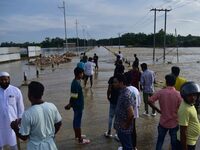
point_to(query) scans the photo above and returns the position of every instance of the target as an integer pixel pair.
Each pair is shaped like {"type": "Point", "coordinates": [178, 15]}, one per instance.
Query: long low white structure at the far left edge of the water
{"type": "Point", "coordinates": [9, 54]}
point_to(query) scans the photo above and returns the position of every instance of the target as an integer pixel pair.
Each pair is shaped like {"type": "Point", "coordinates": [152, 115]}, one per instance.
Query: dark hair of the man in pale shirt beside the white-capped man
{"type": "Point", "coordinates": [36, 89]}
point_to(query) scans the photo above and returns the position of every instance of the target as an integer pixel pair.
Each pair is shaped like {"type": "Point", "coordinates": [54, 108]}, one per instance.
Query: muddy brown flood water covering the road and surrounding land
{"type": "Point", "coordinates": [95, 116]}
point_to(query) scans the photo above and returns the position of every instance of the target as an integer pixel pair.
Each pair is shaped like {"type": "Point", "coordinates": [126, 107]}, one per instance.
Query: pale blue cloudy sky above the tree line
{"type": "Point", "coordinates": [34, 20]}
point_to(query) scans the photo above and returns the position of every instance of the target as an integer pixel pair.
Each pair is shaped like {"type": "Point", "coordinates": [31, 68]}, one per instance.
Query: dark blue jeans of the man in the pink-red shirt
{"type": "Point", "coordinates": [161, 136]}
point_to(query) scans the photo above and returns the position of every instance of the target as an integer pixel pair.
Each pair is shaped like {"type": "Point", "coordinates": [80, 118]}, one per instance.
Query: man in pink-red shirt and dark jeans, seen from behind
{"type": "Point", "coordinates": [169, 101]}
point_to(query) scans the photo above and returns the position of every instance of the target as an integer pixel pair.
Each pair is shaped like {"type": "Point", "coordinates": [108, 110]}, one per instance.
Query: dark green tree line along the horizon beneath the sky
{"type": "Point", "coordinates": [127, 39]}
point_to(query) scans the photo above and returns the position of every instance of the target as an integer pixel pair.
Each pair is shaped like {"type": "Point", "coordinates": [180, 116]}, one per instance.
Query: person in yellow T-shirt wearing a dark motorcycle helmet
{"type": "Point", "coordinates": [189, 131]}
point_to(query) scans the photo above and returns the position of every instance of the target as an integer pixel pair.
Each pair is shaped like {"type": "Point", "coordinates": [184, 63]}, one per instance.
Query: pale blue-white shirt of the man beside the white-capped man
{"type": "Point", "coordinates": [38, 122]}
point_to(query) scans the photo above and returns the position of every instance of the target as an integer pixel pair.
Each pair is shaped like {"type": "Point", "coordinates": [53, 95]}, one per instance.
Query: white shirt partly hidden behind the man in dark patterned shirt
{"type": "Point", "coordinates": [138, 100]}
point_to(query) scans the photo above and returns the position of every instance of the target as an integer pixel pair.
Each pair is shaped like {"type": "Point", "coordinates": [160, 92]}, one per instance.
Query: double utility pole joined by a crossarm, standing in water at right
{"type": "Point", "coordinates": [165, 10]}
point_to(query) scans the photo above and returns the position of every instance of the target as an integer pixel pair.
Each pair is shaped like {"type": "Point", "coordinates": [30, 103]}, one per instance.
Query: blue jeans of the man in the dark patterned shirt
{"type": "Point", "coordinates": [126, 140]}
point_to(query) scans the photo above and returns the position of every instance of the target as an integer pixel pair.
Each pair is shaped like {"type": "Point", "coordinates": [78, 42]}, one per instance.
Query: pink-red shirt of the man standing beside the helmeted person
{"type": "Point", "coordinates": [169, 100]}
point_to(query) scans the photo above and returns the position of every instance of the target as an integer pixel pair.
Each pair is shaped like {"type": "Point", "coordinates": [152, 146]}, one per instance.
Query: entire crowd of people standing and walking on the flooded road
{"type": "Point", "coordinates": [177, 106]}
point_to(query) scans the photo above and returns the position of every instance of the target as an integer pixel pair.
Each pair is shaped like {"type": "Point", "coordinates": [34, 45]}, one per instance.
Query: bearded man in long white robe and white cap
{"type": "Point", "coordinates": [11, 108]}
